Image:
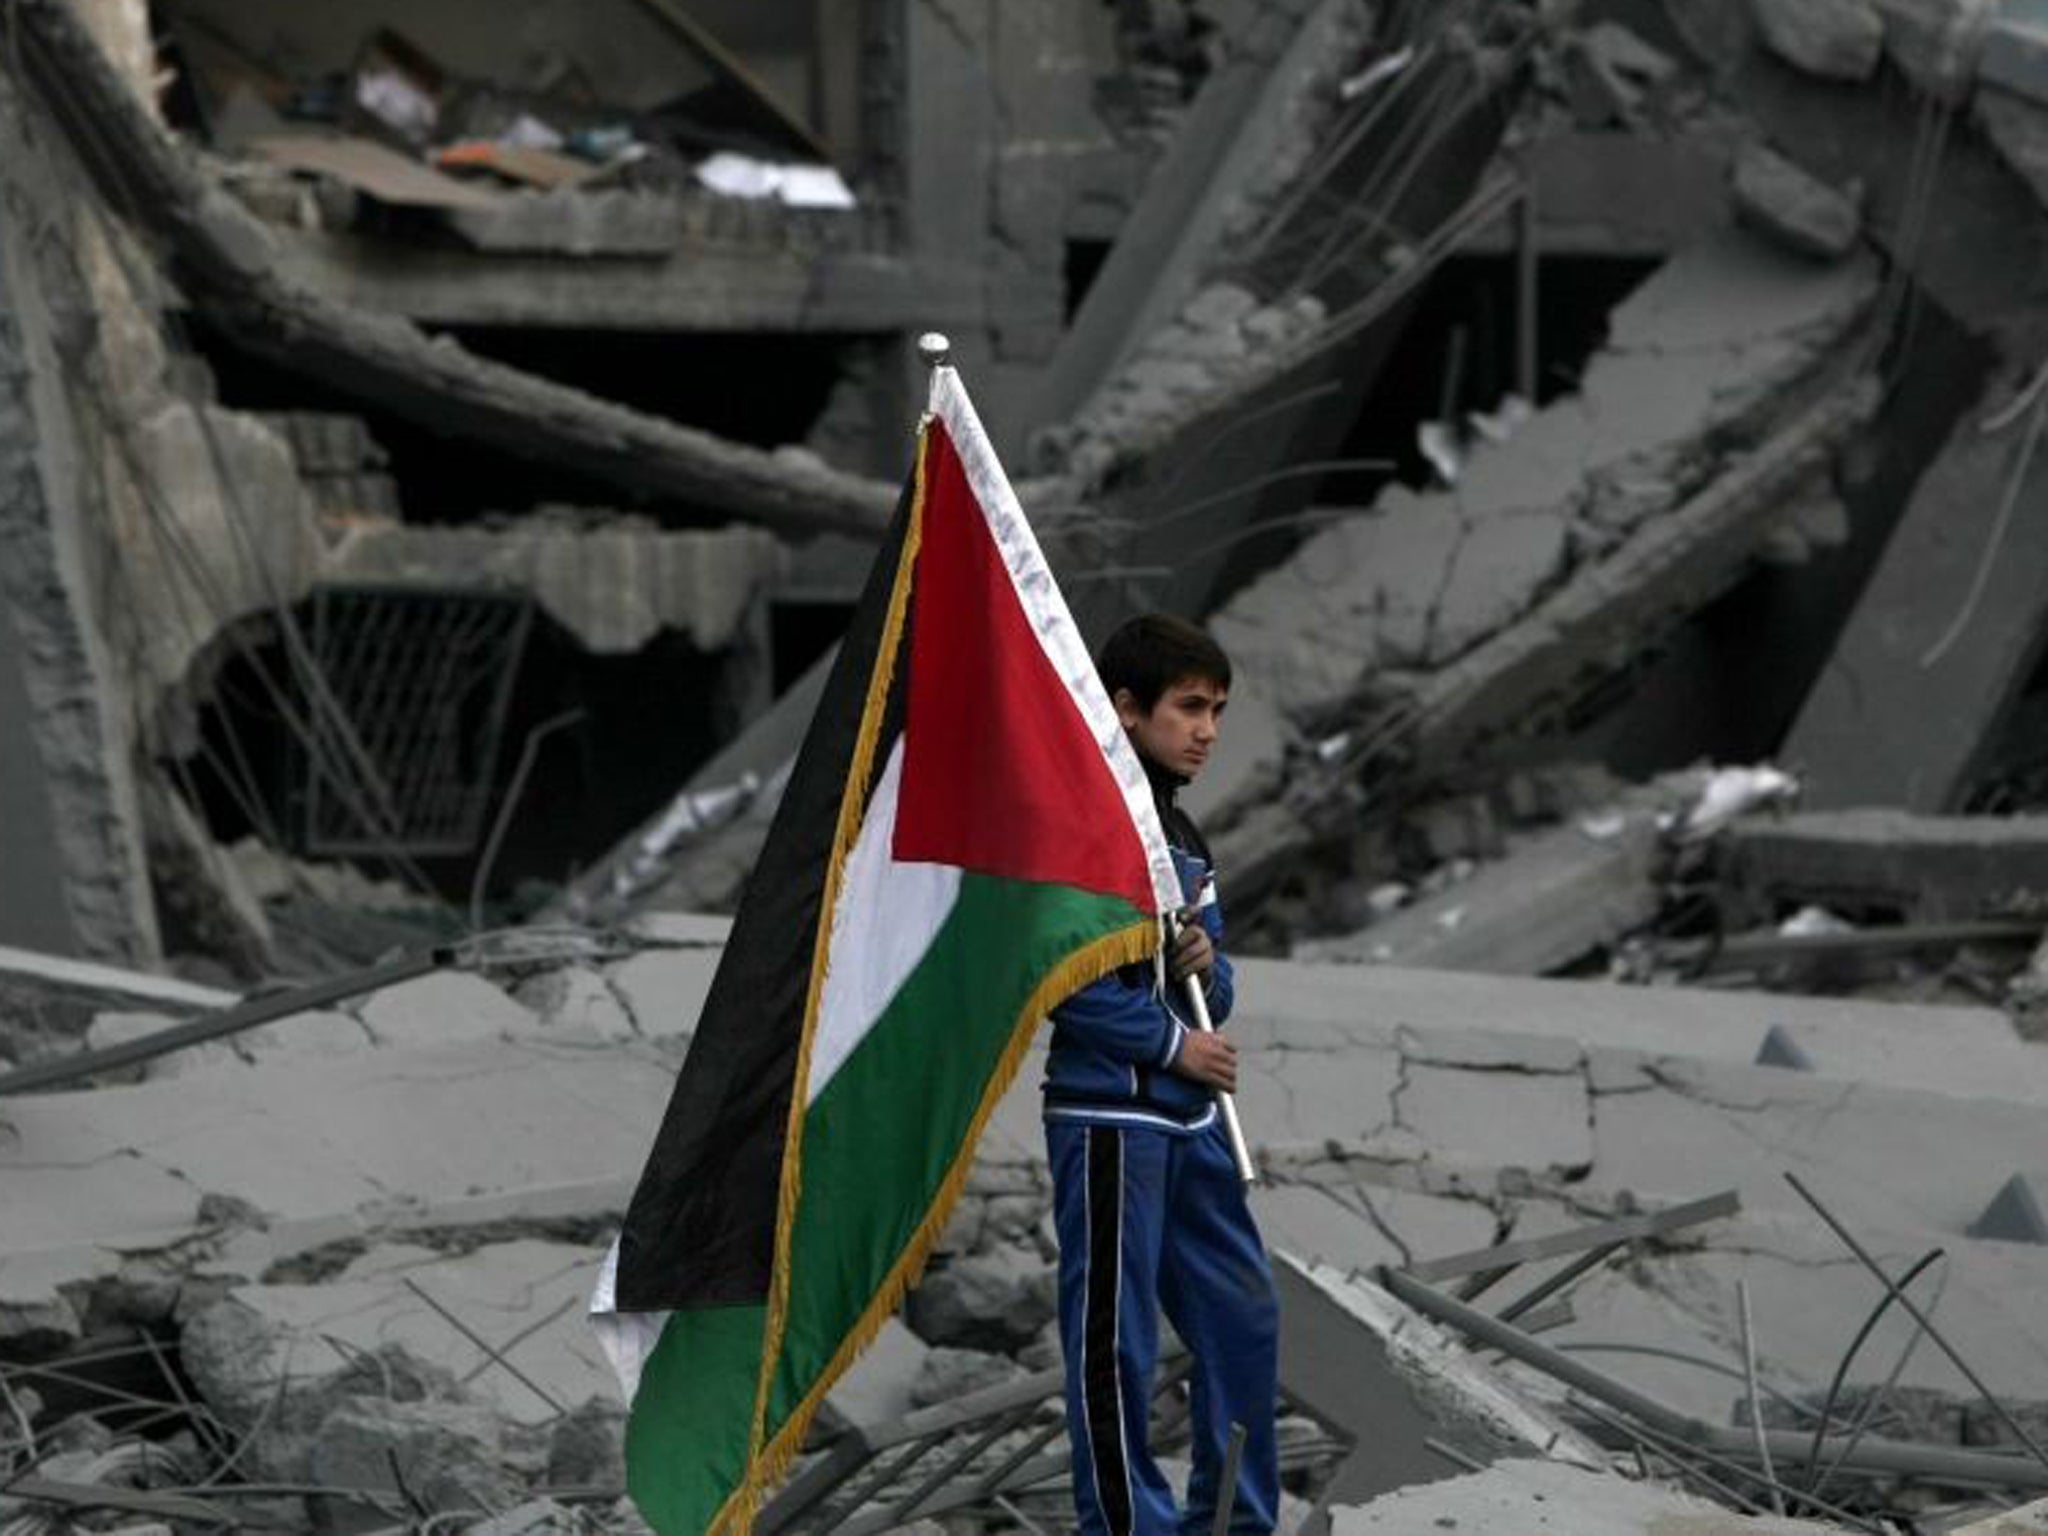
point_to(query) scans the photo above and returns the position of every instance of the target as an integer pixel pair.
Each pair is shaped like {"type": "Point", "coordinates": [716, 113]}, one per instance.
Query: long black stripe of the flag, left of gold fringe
{"type": "Point", "coordinates": [703, 1222]}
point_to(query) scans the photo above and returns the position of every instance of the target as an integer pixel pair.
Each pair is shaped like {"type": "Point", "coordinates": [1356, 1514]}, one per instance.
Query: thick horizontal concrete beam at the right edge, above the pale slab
{"type": "Point", "coordinates": [1930, 869]}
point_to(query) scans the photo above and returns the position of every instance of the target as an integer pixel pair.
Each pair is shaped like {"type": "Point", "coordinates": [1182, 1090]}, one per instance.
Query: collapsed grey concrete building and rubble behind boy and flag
{"type": "Point", "coordinates": [445, 447]}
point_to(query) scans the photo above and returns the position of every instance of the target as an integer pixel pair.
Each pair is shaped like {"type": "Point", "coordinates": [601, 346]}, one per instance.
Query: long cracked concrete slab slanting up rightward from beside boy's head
{"type": "Point", "coordinates": [1426, 579]}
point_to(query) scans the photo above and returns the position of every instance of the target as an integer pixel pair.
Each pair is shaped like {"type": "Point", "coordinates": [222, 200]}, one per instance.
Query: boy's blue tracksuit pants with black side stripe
{"type": "Point", "coordinates": [1158, 1222]}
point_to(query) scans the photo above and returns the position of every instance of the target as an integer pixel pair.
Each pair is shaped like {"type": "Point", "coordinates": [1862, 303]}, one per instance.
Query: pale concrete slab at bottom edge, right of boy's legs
{"type": "Point", "coordinates": [1545, 1496]}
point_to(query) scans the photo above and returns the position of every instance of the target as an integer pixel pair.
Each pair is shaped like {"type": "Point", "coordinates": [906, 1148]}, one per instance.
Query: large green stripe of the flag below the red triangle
{"type": "Point", "coordinates": [888, 1129]}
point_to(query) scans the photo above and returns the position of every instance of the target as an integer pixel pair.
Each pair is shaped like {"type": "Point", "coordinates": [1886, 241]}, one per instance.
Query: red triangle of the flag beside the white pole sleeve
{"type": "Point", "coordinates": [1000, 769]}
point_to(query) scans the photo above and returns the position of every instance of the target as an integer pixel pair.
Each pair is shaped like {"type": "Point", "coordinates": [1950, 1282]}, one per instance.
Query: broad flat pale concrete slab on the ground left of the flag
{"type": "Point", "coordinates": [544, 1125]}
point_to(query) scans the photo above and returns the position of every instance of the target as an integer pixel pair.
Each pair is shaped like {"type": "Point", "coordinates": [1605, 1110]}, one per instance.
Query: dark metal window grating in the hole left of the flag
{"type": "Point", "coordinates": [404, 742]}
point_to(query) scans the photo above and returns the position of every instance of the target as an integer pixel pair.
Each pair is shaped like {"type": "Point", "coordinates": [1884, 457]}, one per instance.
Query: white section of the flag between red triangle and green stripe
{"type": "Point", "coordinates": [884, 927]}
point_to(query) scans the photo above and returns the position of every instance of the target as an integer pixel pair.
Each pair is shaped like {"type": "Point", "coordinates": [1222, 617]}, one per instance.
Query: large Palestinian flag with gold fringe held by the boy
{"type": "Point", "coordinates": [966, 841]}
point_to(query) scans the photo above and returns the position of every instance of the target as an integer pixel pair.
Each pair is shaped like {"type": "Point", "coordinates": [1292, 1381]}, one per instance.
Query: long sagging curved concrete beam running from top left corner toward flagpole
{"type": "Point", "coordinates": [232, 273]}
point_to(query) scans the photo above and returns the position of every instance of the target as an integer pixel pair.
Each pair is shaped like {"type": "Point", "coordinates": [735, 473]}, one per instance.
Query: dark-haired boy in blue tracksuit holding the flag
{"type": "Point", "coordinates": [1146, 1197]}
